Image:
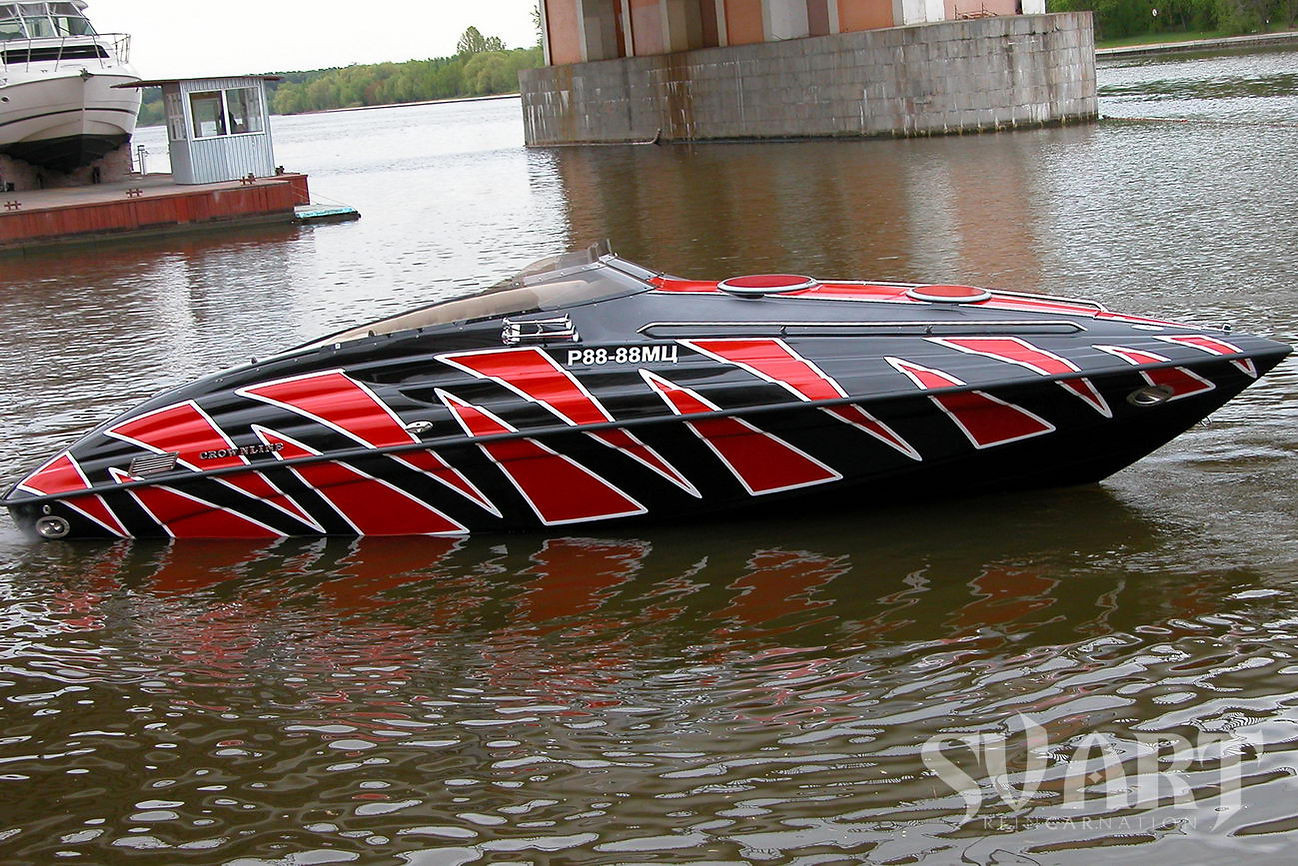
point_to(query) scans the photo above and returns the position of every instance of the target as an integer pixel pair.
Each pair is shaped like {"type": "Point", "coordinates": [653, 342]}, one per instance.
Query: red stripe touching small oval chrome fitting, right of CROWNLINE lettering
{"type": "Point", "coordinates": [346, 406]}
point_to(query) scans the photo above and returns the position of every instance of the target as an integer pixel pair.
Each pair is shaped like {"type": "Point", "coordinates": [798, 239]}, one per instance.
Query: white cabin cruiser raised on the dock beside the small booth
{"type": "Point", "coordinates": [59, 108]}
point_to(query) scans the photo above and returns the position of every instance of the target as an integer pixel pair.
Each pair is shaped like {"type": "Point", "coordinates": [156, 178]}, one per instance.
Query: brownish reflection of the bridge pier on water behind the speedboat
{"type": "Point", "coordinates": [937, 211]}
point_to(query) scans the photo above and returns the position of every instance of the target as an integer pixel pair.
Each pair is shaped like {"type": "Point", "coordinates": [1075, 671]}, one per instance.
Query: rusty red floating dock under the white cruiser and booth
{"type": "Point", "coordinates": [149, 206]}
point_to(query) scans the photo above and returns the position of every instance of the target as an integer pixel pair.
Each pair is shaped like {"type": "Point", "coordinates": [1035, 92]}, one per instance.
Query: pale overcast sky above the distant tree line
{"type": "Point", "coordinates": [202, 38]}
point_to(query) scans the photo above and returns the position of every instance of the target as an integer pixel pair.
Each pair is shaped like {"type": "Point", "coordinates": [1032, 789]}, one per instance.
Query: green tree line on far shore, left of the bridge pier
{"type": "Point", "coordinates": [482, 67]}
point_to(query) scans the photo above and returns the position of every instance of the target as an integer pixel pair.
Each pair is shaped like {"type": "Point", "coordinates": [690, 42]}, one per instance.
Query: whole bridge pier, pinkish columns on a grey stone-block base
{"type": "Point", "coordinates": [705, 69]}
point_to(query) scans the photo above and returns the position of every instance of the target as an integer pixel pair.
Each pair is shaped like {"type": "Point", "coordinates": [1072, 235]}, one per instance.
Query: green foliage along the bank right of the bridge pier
{"type": "Point", "coordinates": [1118, 19]}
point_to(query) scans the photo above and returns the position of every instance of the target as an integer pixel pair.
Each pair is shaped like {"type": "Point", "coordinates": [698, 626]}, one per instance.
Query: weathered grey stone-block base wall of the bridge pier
{"type": "Point", "coordinates": [925, 80]}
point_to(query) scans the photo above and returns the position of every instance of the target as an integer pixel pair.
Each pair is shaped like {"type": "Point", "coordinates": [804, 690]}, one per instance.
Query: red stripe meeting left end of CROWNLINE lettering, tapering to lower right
{"type": "Point", "coordinates": [190, 432]}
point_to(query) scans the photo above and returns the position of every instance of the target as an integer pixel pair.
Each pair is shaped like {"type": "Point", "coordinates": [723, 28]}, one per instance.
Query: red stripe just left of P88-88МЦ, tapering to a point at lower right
{"type": "Point", "coordinates": [538, 378]}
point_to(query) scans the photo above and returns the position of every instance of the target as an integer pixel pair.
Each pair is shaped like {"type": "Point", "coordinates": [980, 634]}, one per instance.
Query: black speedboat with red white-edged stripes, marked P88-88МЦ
{"type": "Point", "coordinates": [590, 390]}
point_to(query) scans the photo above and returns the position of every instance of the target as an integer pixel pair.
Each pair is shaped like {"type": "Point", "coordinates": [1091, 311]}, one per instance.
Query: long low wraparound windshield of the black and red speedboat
{"type": "Point", "coordinates": [568, 280]}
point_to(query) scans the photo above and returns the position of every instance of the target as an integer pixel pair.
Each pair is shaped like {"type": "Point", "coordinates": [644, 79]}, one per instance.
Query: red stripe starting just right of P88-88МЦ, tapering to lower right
{"type": "Point", "coordinates": [776, 362]}
